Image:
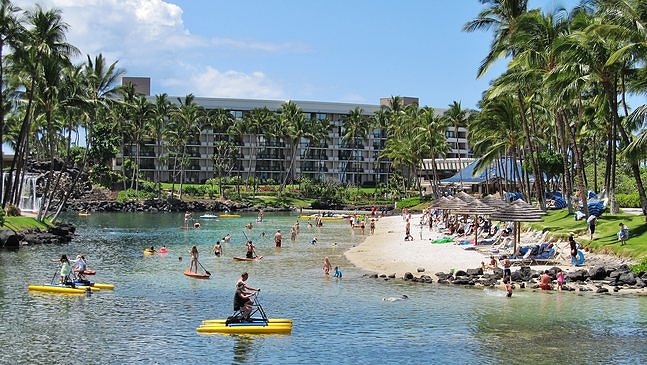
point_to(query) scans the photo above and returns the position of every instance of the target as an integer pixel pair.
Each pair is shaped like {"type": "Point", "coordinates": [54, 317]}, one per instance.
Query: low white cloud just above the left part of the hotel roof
{"type": "Point", "coordinates": [229, 84]}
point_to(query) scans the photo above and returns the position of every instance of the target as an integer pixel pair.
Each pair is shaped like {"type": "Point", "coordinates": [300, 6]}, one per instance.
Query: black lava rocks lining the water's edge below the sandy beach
{"type": "Point", "coordinates": [598, 279]}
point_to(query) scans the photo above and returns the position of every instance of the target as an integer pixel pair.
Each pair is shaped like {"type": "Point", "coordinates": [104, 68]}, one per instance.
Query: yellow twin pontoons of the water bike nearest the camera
{"type": "Point", "coordinates": [254, 326]}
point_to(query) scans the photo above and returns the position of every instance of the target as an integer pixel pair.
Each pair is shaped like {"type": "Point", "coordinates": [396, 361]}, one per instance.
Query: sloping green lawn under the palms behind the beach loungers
{"type": "Point", "coordinates": [561, 224]}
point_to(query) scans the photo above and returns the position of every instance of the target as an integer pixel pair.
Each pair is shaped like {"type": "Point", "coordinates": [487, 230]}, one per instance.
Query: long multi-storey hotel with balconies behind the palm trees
{"type": "Point", "coordinates": [269, 158]}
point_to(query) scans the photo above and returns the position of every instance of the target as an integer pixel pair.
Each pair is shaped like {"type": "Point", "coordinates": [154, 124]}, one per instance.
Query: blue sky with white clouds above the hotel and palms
{"type": "Point", "coordinates": [352, 51]}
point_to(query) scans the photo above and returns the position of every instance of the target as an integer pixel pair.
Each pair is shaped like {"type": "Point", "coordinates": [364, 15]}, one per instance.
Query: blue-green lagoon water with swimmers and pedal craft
{"type": "Point", "coordinates": [152, 315]}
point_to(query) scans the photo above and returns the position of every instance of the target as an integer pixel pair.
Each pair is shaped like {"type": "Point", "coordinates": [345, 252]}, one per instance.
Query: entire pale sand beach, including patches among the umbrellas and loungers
{"type": "Point", "coordinates": [386, 252]}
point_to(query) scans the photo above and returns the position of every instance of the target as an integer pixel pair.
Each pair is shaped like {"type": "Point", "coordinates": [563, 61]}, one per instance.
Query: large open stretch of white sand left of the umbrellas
{"type": "Point", "coordinates": [386, 252]}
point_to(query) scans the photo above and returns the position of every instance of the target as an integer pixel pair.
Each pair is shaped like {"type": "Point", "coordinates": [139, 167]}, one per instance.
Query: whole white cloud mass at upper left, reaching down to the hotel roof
{"type": "Point", "coordinates": [149, 38]}
